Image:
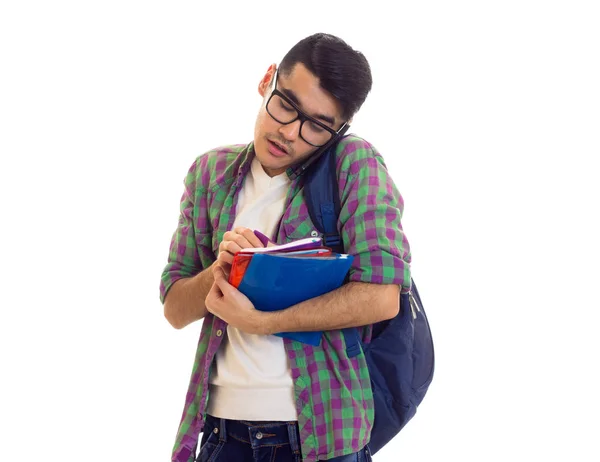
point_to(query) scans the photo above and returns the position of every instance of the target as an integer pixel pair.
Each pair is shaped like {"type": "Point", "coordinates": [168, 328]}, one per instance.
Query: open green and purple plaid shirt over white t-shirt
{"type": "Point", "coordinates": [333, 393]}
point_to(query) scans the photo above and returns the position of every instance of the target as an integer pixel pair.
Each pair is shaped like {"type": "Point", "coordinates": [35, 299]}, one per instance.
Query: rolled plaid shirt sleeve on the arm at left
{"type": "Point", "coordinates": [184, 259]}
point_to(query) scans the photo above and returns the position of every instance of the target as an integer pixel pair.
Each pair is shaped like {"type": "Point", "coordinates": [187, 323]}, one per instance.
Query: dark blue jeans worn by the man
{"type": "Point", "coordinates": [240, 441]}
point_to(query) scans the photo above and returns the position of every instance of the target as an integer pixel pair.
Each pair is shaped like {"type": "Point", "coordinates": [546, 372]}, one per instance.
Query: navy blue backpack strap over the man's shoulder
{"type": "Point", "coordinates": [321, 192]}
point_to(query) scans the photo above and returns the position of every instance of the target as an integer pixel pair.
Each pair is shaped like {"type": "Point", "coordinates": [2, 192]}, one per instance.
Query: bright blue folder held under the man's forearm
{"type": "Point", "coordinates": [274, 282]}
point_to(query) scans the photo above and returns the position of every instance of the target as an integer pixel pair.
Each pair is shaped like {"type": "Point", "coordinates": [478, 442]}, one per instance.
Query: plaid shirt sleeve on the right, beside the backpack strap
{"type": "Point", "coordinates": [370, 218]}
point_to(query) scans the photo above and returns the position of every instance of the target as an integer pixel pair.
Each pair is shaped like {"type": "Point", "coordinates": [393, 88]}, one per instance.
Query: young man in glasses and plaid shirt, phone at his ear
{"type": "Point", "coordinates": [253, 395]}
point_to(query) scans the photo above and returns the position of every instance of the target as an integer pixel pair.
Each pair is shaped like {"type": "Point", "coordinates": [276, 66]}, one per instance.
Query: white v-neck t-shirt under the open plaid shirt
{"type": "Point", "coordinates": [251, 378]}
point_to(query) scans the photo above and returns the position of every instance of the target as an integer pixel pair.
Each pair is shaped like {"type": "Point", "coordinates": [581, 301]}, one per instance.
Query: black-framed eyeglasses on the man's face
{"type": "Point", "coordinates": [284, 111]}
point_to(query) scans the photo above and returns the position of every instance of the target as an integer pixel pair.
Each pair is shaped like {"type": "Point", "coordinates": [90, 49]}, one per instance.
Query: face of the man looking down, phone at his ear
{"type": "Point", "coordinates": [280, 146]}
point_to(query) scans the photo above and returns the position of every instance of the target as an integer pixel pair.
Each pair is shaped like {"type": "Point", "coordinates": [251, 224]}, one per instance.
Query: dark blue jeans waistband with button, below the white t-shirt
{"type": "Point", "coordinates": [257, 434]}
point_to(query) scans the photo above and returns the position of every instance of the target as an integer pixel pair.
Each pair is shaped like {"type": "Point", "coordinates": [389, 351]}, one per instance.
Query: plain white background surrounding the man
{"type": "Point", "coordinates": [487, 114]}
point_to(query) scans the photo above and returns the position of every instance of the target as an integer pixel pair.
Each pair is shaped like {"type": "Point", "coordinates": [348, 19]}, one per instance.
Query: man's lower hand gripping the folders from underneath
{"type": "Point", "coordinates": [233, 307]}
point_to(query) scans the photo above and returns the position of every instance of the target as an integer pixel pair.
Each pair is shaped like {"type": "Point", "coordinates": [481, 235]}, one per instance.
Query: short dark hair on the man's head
{"type": "Point", "coordinates": [342, 71]}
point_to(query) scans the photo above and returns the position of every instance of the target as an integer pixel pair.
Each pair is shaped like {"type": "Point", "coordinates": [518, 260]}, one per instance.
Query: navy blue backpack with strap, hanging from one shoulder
{"type": "Point", "coordinates": [400, 356]}
